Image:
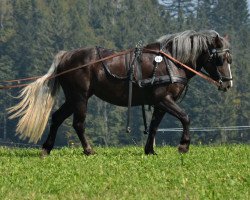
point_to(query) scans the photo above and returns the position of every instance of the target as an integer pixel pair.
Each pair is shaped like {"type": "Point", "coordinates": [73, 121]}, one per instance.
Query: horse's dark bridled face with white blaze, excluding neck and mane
{"type": "Point", "coordinates": [218, 62]}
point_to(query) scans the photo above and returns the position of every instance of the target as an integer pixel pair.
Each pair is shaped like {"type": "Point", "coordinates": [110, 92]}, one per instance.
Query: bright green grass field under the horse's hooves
{"type": "Point", "coordinates": [220, 172]}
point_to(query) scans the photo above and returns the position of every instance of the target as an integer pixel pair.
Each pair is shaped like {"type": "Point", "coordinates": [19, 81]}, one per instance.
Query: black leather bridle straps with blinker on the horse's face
{"type": "Point", "coordinates": [216, 61]}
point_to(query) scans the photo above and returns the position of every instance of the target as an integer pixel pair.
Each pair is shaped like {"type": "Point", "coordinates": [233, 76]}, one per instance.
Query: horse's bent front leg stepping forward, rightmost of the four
{"type": "Point", "coordinates": [170, 106]}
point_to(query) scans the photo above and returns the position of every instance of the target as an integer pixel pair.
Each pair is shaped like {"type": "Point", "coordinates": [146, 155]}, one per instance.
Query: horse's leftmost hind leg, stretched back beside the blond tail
{"type": "Point", "coordinates": [57, 119]}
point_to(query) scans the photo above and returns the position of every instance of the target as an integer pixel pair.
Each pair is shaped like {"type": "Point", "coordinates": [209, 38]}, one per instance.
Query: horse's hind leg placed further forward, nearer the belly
{"type": "Point", "coordinates": [79, 125]}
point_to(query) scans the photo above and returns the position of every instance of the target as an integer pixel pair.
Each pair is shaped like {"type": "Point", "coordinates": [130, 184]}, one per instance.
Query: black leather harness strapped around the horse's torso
{"type": "Point", "coordinates": [133, 66]}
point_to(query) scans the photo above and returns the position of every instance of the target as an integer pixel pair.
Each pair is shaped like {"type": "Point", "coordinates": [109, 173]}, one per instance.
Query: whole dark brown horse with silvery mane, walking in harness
{"type": "Point", "coordinates": [156, 81]}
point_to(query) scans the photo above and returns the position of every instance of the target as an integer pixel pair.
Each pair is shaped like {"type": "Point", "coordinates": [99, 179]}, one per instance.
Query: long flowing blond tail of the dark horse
{"type": "Point", "coordinates": [37, 100]}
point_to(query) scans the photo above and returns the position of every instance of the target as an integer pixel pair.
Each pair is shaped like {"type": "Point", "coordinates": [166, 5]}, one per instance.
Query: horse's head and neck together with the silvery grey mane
{"type": "Point", "coordinates": [202, 49]}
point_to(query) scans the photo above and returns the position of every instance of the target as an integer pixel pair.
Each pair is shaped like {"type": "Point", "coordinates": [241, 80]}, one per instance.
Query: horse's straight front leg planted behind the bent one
{"type": "Point", "coordinates": [157, 116]}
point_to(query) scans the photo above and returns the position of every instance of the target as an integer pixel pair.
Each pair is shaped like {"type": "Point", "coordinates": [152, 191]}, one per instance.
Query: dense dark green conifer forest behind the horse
{"type": "Point", "coordinates": [33, 31]}
